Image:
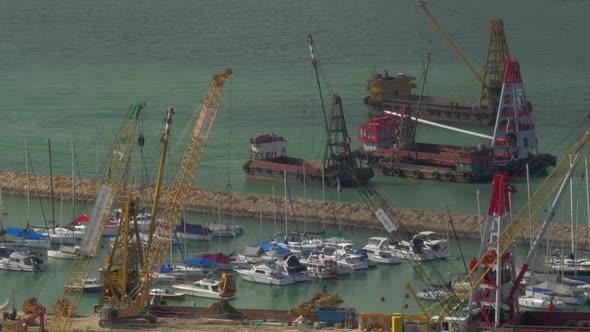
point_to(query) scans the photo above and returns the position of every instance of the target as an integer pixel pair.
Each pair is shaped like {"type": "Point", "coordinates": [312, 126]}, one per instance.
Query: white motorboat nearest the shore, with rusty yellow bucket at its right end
{"type": "Point", "coordinates": [223, 289]}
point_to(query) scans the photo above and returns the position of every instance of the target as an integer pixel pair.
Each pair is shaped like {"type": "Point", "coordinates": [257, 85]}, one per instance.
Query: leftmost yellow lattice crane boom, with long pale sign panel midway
{"type": "Point", "coordinates": [111, 183]}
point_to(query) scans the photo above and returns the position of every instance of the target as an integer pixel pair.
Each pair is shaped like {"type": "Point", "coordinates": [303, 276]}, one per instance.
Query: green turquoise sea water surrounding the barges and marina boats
{"type": "Point", "coordinates": [70, 69]}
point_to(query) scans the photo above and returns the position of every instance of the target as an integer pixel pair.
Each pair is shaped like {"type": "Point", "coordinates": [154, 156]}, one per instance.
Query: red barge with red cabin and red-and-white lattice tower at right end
{"type": "Point", "coordinates": [389, 143]}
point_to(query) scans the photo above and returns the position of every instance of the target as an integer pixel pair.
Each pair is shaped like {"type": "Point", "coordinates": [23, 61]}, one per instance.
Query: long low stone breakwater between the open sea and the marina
{"type": "Point", "coordinates": [253, 205]}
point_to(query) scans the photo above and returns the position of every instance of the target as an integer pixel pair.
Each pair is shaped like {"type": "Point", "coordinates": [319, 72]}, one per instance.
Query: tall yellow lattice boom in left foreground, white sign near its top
{"type": "Point", "coordinates": [177, 196]}
